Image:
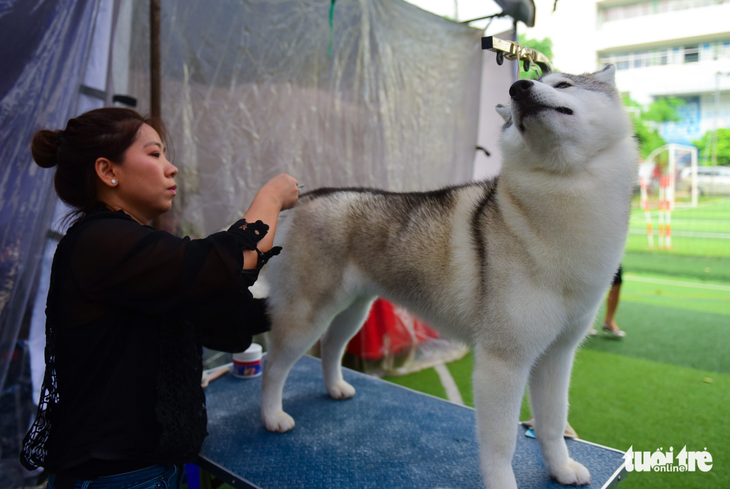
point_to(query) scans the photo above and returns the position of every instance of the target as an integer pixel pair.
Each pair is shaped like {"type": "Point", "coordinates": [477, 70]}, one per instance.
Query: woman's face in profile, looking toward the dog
{"type": "Point", "coordinates": [146, 184]}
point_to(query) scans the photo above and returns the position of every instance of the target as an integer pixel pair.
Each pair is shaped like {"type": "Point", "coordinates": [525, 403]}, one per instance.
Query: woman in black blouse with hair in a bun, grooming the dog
{"type": "Point", "coordinates": [129, 307]}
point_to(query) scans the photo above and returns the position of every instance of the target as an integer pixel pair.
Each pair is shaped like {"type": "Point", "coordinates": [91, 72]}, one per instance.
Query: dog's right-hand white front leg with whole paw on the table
{"type": "Point", "coordinates": [549, 382]}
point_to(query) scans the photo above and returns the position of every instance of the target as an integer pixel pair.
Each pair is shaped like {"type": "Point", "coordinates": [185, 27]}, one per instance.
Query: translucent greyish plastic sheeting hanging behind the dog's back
{"type": "Point", "coordinates": [250, 90]}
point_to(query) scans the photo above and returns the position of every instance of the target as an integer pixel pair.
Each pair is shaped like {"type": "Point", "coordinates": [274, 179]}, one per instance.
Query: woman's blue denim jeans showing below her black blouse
{"type": "Point", "coordinates": [154, 477]}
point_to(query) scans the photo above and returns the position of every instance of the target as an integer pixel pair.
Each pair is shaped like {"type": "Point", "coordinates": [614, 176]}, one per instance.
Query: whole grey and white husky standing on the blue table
{"type": "Point", "coordinates": [516, 266]}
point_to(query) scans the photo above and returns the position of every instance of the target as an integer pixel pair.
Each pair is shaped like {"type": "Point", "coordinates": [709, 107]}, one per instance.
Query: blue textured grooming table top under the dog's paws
{"type": "Point", "coordinates": [386, 436]}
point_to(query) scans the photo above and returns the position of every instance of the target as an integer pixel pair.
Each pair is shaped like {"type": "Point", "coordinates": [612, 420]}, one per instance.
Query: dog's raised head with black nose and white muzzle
{"type": "Point", "coordinates": [564, 119]}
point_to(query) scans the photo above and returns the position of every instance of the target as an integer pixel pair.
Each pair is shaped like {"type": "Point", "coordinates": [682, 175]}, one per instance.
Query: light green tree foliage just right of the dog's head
{"type": "Point", "coordinates": [647, 120]}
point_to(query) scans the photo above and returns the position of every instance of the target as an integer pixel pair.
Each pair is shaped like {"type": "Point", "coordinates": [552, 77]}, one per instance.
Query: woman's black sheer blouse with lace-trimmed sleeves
{"type": "Point", "coordinates": [128, 310]}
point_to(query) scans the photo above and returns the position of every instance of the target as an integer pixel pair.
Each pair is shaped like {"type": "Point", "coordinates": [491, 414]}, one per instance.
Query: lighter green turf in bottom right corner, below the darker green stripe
{"type": "Point", "coordinates": [621, 402]}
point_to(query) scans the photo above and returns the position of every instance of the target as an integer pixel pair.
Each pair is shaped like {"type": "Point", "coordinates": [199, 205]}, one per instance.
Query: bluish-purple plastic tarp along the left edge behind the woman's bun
{"type": "Point", "coordinates": [43, 57]}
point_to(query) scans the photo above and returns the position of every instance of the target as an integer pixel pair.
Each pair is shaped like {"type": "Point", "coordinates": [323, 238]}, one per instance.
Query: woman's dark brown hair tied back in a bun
{"type": "Point", "coordinates": [106, 133]}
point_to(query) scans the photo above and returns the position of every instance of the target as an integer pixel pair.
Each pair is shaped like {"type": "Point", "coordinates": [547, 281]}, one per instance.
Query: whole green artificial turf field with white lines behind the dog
{"type": "Point", "coordinates": [667, 384]}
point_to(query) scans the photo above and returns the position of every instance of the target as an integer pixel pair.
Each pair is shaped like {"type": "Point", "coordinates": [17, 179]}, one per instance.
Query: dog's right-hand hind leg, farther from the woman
{"type": "Point", "coordinates": [334, 342]}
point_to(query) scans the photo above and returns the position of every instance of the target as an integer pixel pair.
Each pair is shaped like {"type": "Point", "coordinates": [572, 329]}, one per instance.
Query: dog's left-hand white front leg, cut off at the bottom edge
{"type": "Point", "coordinates": [499, 385]}
